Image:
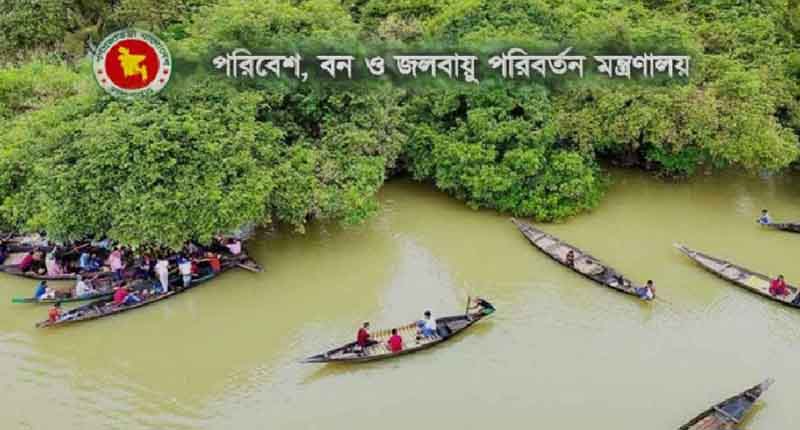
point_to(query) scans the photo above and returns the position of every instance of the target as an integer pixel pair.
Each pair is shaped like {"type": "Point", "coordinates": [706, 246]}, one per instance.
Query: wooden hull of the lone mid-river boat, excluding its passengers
{"type": "Point", "coordinates": [446, 328]}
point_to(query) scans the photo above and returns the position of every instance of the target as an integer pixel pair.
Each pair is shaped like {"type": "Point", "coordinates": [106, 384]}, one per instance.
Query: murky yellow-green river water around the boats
{"type": "Point", "coordinates": [559, 353]}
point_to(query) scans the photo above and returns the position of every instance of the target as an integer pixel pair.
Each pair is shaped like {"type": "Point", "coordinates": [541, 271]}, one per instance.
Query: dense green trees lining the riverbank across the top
{"type": "Point", "coordinates": [209, 154]}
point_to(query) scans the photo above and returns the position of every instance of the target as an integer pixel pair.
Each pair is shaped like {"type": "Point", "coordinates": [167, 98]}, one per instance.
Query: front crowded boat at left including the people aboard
{"type": "Point", "coordinates": [143, 292]}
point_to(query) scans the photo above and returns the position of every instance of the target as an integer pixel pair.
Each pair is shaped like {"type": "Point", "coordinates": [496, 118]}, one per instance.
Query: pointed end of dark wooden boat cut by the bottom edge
{"type": "Point", "coordinates": [727, 414]}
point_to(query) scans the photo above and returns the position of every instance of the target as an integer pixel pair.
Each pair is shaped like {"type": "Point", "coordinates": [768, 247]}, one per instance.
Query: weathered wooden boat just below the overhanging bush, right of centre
{"type": "Point", "coordinates": [584, 263]}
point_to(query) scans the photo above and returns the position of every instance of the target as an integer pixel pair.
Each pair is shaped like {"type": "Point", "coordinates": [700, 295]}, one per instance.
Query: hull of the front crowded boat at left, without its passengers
{"type": "Point", "coordinates": [104, 307]}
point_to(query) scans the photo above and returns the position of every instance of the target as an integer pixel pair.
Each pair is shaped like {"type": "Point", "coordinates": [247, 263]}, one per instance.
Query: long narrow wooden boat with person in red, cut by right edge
{"type": "Point", "coordinates": [752, 281]}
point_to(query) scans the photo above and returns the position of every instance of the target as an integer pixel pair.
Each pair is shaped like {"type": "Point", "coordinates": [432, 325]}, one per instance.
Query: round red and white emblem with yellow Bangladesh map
{"type": "Point", "coordinates": [131, 63]}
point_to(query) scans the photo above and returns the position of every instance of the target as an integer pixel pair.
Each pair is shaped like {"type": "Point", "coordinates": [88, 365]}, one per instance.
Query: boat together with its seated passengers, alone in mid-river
{"type": "Point", "coordinates": [406, 339]}
